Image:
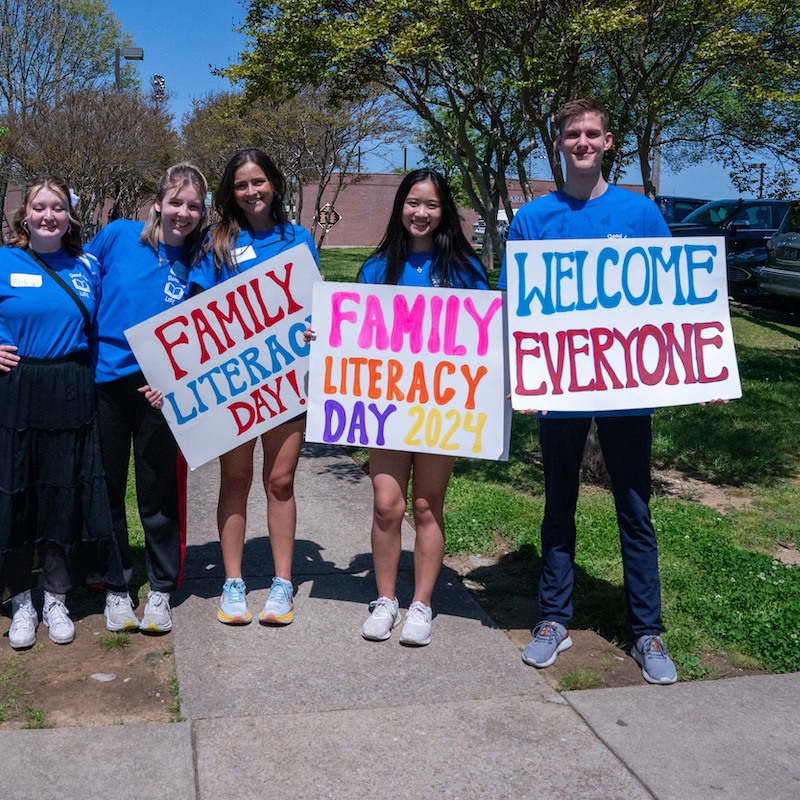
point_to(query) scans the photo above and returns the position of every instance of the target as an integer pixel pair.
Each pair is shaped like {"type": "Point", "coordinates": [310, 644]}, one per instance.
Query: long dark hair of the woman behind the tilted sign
{"type": "Point", "coordinates": [232, 220]}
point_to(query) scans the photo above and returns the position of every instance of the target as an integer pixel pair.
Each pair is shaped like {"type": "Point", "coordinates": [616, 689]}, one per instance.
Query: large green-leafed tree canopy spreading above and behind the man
{"type": "Point", "coordinates": [485, 77]}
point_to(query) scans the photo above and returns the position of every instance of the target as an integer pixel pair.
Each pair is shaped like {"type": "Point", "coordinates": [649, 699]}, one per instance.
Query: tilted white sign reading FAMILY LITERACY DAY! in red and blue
{"type": "Point", "coordinates": [232, 362]}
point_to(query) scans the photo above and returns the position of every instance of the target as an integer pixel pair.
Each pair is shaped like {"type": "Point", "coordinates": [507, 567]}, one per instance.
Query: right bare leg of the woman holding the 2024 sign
{"type": "Point", "coordinates": [428, 488]}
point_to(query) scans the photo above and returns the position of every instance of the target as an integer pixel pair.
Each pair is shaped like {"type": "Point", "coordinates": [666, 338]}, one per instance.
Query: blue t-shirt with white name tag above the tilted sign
{"type": "Point", "coordinates": [251, 249]}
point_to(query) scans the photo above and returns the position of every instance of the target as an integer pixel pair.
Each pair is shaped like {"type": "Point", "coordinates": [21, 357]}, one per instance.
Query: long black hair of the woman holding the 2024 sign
{"type": "Point", "coordinates": [454, 261]}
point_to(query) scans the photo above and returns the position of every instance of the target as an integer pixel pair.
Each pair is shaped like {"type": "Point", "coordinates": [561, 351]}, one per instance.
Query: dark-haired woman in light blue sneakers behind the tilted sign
{"type": "Point", "coordinates": [253, 226]}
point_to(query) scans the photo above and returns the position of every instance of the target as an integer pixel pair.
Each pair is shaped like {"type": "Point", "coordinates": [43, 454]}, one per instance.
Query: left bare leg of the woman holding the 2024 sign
{"type": "Point", "coordinates": [389, 470]}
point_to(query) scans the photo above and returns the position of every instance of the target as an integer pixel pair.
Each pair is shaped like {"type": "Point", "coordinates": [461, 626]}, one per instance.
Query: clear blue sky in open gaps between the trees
{"type": "Point", "coordinates": [184, 39]}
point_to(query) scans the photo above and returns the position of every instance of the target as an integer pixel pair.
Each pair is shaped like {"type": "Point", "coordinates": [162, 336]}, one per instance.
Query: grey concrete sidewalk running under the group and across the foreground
{"type": "Point", "coordinates": [314, 711]}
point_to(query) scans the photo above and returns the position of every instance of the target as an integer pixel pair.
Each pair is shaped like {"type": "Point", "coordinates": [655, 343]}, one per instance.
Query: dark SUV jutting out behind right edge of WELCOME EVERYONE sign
{"type": "Point", "coordinates": [746, 226]}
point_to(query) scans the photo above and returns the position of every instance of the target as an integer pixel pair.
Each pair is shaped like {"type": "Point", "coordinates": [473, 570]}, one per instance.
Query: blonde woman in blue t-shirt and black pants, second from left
{"type": "Point", "coordinates": [144, 269]}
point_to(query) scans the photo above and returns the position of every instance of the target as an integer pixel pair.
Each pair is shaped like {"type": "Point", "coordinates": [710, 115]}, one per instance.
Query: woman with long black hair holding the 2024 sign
{"type": "Point", "coordinates": [424, 245]}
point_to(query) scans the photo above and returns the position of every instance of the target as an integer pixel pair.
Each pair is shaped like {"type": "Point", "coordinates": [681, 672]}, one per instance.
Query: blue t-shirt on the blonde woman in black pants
{"type": "Point", "coordinates": [137, 284]}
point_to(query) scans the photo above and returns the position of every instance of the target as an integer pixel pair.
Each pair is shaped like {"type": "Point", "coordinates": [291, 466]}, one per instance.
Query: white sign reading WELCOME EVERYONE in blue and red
{"type": "Point", "coordinates": [607, 324]}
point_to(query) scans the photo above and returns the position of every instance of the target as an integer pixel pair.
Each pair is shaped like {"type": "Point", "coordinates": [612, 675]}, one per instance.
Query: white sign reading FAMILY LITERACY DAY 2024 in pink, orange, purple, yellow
{"type": "Point", "coordinates": [405, 368]}
